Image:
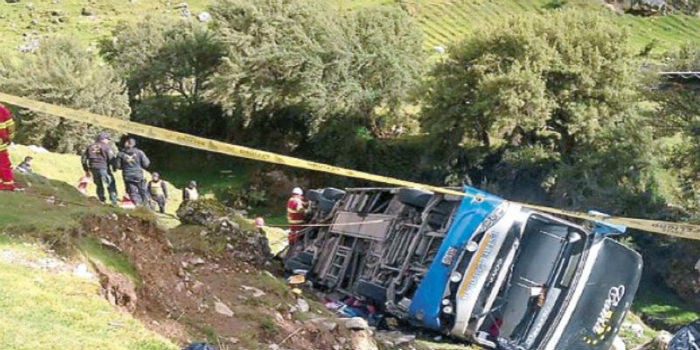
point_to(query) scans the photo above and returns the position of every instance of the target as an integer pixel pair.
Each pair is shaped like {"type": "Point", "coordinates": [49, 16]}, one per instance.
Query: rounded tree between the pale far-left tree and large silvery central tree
{"type": "Point", "coordinates": [159, 56]}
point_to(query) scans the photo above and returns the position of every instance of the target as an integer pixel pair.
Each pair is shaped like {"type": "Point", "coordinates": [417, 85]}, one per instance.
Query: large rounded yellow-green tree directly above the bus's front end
{"type": "Point", "coordinates": [565, 76]}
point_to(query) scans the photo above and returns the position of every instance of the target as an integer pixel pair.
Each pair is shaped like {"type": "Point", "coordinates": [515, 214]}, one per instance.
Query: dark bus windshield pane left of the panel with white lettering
{"type": "Point", "coordinates": [546, 259]}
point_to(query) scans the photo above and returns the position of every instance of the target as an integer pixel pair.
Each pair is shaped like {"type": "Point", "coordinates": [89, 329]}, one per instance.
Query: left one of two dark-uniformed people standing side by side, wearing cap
{"type": "Point", "coordinates": [96, 161]}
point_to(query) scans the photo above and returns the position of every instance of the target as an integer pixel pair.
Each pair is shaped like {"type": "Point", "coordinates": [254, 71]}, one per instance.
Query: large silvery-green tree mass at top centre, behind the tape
{"type": "Point", "coordinates": [302, 61]}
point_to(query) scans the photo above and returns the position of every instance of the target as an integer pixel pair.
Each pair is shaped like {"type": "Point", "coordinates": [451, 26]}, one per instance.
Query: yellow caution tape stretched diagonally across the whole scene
{"type": "Point", "coordinates": [663, 227]}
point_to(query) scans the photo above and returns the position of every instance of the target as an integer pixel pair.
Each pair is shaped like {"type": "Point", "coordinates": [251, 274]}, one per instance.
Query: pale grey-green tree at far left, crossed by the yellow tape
{"type": "Point", "coordinates": [64, 72]}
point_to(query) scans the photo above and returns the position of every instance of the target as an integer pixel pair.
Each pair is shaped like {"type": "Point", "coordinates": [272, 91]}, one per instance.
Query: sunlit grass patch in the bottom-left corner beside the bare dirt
{"type": "Point", "coordinates": [42, 310]}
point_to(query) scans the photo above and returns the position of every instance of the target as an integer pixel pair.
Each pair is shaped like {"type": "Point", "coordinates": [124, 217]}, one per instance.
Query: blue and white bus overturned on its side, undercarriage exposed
{"type": "Point", "coordinates": [475, 267]}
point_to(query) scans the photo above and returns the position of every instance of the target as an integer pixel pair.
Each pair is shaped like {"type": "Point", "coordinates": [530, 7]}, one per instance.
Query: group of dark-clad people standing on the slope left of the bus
{"type": "Point", "coordinates": [99, 162]}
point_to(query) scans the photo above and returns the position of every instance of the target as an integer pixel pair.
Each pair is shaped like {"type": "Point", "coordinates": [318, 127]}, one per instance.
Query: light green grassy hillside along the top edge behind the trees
{"type": "Point", "coordinates": [443, 21]}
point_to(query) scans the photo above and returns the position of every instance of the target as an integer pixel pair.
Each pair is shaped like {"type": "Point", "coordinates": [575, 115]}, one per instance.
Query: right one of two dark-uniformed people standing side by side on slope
{"type": "Point", "coordinates": [132, 161]}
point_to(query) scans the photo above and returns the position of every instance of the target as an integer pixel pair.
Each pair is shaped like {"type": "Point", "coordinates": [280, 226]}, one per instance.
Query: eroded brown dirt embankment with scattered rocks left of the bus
{"type": "Point", "coordinates": [216, 290]}
